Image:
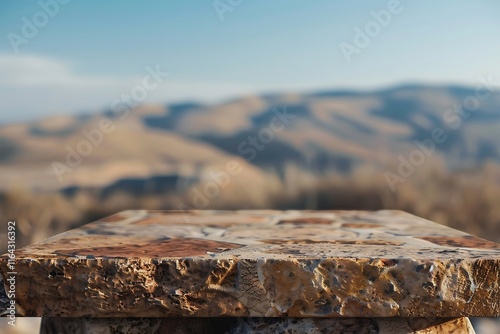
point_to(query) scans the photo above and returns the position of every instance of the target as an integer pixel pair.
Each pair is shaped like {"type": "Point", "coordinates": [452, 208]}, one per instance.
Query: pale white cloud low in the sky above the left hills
{"type": "Point", "coordinates": [34, 86]}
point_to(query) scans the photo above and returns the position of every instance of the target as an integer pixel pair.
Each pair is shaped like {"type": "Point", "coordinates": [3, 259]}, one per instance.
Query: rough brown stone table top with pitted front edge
{"type": "Point", "coordinates": [259, 264]}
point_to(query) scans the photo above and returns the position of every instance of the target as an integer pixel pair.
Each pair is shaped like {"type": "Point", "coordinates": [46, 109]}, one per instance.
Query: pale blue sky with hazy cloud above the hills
{"type": "Point", "coordinates": [90, 52]}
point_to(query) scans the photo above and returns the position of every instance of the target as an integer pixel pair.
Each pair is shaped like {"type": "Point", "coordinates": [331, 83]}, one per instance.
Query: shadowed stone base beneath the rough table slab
{"type": "Point", "coordinates": [255, 325]}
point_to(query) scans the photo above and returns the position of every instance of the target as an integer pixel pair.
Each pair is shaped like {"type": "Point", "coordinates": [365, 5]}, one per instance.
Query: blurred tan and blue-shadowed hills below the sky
{"type": "Point", "coordinates": [161, 148]}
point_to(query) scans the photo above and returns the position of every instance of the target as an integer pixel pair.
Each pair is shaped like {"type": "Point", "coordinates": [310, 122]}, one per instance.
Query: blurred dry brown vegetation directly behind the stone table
{"type": "Point", "coordinates": [466, 200]}
